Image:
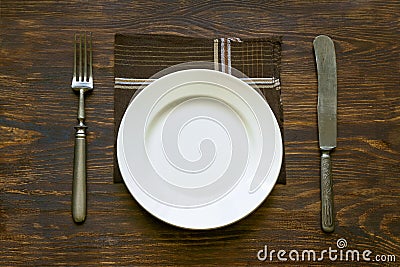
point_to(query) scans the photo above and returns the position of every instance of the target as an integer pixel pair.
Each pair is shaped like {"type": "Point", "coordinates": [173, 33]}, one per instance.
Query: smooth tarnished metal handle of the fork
{"type": "Point", "coordinates": [79, 179]}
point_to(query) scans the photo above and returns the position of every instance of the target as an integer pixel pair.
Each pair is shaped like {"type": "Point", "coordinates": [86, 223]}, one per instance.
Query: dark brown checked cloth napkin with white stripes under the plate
{"type": "Point", "coordinates": [138, 57]}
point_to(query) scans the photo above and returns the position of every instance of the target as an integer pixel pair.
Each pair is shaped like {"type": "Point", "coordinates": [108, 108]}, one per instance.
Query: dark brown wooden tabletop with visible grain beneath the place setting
{"type": "Point", "coordinates": [38, 110]}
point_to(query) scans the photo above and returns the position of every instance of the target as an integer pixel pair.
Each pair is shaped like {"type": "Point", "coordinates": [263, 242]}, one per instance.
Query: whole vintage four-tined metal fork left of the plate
{"type": "Point", "coordinates": [82, 82]}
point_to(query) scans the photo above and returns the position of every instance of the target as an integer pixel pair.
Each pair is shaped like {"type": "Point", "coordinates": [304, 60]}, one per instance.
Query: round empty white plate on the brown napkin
{"type": "Point", "coordinates": [199, 149]}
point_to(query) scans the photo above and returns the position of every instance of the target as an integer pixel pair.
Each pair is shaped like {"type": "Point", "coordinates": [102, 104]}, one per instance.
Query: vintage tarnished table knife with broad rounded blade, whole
{"type": "Point", "coordinates": [327, 106]}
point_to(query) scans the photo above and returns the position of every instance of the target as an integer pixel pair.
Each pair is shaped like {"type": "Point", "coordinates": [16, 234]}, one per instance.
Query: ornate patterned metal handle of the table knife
{"type": "Point", "coordinates": [327, 217]}
